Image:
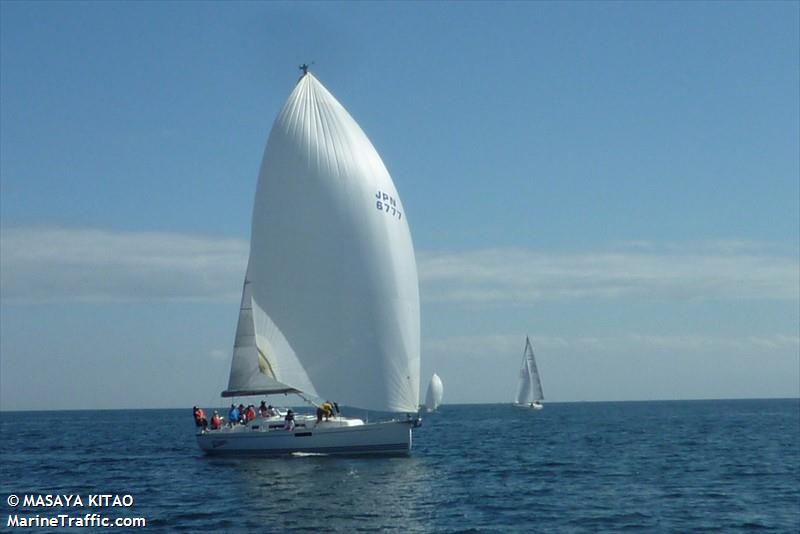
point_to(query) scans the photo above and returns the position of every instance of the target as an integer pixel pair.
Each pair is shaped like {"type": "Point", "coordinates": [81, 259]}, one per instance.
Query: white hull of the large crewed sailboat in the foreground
{"type": "Point", "coordinates": [266, 437]}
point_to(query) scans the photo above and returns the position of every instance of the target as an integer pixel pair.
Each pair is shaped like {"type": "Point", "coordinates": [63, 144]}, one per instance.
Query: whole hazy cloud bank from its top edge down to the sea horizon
{"type": "Point", "coordinates": [463, 293]}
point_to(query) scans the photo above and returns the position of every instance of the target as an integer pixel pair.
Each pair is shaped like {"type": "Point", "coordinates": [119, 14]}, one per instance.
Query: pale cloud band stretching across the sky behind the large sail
{"type": "Point", "coordinates": [38, 264]}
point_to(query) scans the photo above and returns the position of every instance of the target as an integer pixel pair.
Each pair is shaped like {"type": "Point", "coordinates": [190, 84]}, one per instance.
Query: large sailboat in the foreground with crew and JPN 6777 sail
{"type": "Point", "coordinates": [330, 300]}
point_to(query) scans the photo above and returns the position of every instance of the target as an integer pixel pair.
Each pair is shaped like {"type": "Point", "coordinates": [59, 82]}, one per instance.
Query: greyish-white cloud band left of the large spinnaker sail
{"type": "Point", "coordinates": [41, 264]}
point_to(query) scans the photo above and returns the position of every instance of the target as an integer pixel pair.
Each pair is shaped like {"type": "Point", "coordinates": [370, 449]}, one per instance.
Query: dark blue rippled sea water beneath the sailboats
{"type": "Point", "coordinates": [679, 466]}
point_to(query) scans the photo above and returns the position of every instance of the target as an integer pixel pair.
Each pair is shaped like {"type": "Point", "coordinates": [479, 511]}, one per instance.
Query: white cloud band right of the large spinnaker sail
{"type": "Point", "coordinates": [723, 271]}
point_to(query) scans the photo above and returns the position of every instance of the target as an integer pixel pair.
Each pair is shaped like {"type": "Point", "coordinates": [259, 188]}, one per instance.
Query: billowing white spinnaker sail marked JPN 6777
{"type": "Point", "coordinates": [332, 274]}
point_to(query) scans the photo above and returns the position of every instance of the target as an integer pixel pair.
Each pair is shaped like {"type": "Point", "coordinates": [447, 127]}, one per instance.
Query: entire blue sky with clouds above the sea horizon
{"type": "Point", "coordinates": [620, 181]}
